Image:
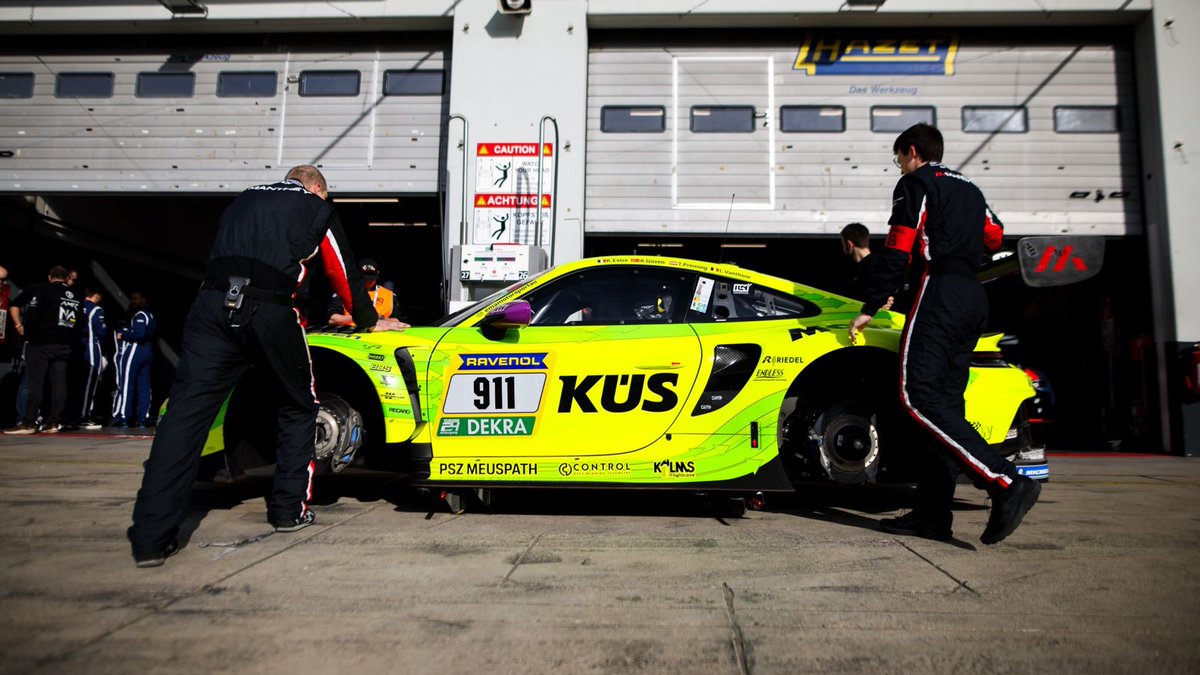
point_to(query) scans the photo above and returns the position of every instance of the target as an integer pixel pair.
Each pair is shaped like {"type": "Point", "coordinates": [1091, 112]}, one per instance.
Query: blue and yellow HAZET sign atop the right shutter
{"type": "Point", "coordinates": [877, 56]}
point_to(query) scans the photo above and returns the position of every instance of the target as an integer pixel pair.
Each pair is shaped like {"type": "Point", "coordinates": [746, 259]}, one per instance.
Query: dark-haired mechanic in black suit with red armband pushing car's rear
{"type": "Point", "coordinates": [941, 214]}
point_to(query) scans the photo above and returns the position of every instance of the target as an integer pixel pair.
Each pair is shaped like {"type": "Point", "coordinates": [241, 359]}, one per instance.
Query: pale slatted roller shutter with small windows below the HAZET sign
{"type": "Point", "coordinates": [824, 181]}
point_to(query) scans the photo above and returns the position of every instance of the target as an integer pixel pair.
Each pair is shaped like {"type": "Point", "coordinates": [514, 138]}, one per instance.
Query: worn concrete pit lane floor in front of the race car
{"type": "Point", "coordinates": [1101, 578]}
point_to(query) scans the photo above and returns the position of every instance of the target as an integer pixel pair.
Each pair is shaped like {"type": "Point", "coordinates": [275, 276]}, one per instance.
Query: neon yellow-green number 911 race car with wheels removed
{"type": "Point", "coordinates": [632, 373]}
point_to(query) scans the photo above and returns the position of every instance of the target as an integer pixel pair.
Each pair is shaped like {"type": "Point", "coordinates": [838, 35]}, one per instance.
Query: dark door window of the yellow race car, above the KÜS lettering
{"type": "Point", "coordinates": [613, 296]}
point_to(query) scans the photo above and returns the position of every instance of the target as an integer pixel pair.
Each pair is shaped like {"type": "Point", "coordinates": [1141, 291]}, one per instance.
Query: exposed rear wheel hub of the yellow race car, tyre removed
{"type": "Point", "coordinates": [847, 441]}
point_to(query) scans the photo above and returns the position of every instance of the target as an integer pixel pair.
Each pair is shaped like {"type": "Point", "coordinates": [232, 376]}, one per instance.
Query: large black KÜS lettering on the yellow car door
{"type": "Point", "coordinates": [620, 393]}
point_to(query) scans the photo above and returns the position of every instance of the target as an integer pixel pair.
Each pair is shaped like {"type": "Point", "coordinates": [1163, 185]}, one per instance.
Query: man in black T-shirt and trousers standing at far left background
{"type": "Point", "coordinates": [47, 316]}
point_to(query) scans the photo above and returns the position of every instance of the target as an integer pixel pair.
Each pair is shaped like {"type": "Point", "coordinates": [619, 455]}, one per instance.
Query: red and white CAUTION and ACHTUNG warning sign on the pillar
{"type": "Point", "coordinates": [507, 201]}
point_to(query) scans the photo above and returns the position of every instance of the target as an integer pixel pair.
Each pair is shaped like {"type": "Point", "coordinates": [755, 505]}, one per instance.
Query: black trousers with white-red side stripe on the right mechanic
{"type": "Point", "coordinates": [944, 327]}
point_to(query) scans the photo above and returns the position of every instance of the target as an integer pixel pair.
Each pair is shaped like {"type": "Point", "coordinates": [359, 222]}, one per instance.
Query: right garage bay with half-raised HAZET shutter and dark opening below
{"type": "Point", "coordinates": [758, 147]}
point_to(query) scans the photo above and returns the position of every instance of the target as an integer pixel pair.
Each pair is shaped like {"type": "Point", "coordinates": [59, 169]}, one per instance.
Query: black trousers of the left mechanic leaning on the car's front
{"type": "Point", "coordinates": [215, 355]}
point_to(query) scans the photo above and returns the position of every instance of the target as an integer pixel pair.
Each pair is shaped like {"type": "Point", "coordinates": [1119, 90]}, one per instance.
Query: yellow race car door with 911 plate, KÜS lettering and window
{"type": "Point", "coordinates": [603, 369]}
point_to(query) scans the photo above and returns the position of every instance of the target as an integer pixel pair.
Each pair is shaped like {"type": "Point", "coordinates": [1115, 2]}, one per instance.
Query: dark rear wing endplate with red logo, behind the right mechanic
{"type": "Point", "coordinates": [1048, 261]}
